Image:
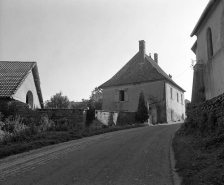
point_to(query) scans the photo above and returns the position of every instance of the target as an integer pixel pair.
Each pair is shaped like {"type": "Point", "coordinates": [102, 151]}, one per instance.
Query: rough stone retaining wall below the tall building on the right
{"type": "Point", "coordinates": [214, 106]}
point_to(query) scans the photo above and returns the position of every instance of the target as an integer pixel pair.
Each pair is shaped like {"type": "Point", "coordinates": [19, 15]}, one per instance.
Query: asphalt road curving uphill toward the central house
{"type": "Point", "coordinates": [136, 156]}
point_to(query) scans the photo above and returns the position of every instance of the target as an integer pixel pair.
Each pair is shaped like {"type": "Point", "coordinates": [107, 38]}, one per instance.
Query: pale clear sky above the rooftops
{"type": "Point", "coordinates": [80, 44]}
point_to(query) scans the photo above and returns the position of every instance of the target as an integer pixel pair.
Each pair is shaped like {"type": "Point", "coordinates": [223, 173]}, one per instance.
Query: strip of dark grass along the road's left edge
{"type": "Point", "coordinates": [41, 139]}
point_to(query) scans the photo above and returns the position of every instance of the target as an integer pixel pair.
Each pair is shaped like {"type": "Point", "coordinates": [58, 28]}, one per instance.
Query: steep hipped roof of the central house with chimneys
{"type": "Point", "coordinates": [137, 71]}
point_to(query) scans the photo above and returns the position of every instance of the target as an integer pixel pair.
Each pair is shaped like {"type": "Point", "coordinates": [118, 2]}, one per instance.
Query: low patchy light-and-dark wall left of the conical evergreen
{"type": "Point", "coordinates": [115, 117]}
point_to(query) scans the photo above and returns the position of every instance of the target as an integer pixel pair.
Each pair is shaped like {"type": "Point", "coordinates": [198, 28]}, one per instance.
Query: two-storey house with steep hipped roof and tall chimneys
{"type": "Point", "coordinates": [164, 98]}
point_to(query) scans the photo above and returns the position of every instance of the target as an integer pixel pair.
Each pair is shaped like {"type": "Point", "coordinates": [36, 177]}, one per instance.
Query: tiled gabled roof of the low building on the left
{"type": "Point", "coordinates": [12, 75]}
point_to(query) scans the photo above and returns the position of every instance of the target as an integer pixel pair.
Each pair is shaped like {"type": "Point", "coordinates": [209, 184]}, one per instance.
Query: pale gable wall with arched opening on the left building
{"type": "Point", "coordinates": [27, 85]}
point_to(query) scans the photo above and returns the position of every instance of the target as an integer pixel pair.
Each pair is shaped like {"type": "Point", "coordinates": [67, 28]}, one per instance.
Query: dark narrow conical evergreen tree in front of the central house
{"type": "Point", "coordinates": [142, 112]}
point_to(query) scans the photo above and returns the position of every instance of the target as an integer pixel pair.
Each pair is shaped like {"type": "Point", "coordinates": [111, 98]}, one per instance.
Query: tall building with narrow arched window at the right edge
{"type": "Point", "coordinates": [208, 81]}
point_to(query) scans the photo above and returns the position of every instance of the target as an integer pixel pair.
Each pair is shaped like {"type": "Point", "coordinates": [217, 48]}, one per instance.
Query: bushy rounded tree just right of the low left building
{"type": "Point", "coordinates": [57, 101]}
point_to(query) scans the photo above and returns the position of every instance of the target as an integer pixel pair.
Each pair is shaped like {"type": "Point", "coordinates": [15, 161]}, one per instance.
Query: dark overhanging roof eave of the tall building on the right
{"type": "Point", "coordinates": [207, 10]}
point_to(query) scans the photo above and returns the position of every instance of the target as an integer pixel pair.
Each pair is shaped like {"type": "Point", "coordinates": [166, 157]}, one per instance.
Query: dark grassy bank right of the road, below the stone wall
{"type": "Point", "coordinates": [199, 155]}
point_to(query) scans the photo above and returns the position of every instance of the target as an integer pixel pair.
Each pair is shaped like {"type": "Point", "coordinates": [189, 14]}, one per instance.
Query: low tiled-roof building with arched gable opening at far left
{"type": "Point", "coordinates": [20, 81]}
